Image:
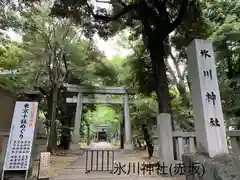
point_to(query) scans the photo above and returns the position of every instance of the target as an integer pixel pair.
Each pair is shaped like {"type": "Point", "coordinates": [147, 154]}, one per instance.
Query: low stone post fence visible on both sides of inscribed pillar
{"type": "Point", "coordinates": [186, 142]}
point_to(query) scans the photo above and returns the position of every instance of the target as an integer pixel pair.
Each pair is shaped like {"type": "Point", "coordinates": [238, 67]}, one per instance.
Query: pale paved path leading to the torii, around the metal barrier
{"type": "Point", "coordinates": [76, 171]}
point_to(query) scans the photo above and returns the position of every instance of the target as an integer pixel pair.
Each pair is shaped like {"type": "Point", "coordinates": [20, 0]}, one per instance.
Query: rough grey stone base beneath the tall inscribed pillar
{"type": "Point", "coordinates": [222, 167]}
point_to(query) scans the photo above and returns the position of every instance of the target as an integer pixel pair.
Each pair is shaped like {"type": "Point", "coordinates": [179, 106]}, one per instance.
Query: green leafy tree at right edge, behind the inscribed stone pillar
{"type": "Point", "coordinates": [224, 17]}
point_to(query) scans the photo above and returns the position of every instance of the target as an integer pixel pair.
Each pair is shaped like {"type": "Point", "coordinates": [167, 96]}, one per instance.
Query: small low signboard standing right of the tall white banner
{"type": "Point", "coordinates": [44, 165]}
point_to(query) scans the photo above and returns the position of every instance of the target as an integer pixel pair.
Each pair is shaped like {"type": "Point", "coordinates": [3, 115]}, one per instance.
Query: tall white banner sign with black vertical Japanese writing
{"type": "Point", "coordinates": [21, 136]}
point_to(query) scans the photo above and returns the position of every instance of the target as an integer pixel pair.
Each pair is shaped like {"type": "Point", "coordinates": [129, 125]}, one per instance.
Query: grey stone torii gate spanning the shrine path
{"type": "Point", "coordinates": [80, 99]}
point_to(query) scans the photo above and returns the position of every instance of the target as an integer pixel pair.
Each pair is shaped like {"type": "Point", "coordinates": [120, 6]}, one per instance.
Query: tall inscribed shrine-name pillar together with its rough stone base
{"type": "Point", "coordinates": [212, 150]}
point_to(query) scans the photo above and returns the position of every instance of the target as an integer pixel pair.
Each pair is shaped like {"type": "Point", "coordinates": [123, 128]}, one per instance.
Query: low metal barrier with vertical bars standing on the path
{"type": "Point", "coordinates": [99, 160]}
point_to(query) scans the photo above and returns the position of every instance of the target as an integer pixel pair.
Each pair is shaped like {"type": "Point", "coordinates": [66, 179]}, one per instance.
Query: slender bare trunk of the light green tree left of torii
{"type": "Point", "coordinates": [52, 134]}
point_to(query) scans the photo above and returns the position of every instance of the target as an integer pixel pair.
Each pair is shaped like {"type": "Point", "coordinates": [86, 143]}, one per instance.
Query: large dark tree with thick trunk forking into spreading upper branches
{"type": "Point", "coordinates": [151, 19]}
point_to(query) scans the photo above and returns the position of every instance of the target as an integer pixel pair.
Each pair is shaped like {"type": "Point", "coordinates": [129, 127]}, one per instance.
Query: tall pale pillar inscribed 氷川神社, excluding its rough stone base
{"type": "Point", "coordinates": [208, 115]}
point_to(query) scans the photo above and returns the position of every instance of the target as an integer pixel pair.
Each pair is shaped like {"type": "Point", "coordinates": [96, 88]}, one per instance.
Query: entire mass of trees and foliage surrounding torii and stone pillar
{"type": "Point", "coordinates": [57, 46]}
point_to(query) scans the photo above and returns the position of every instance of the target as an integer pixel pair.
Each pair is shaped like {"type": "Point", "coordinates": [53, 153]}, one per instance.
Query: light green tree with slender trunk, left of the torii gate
{"type": "Point", "coordinates": [56, 54]}
